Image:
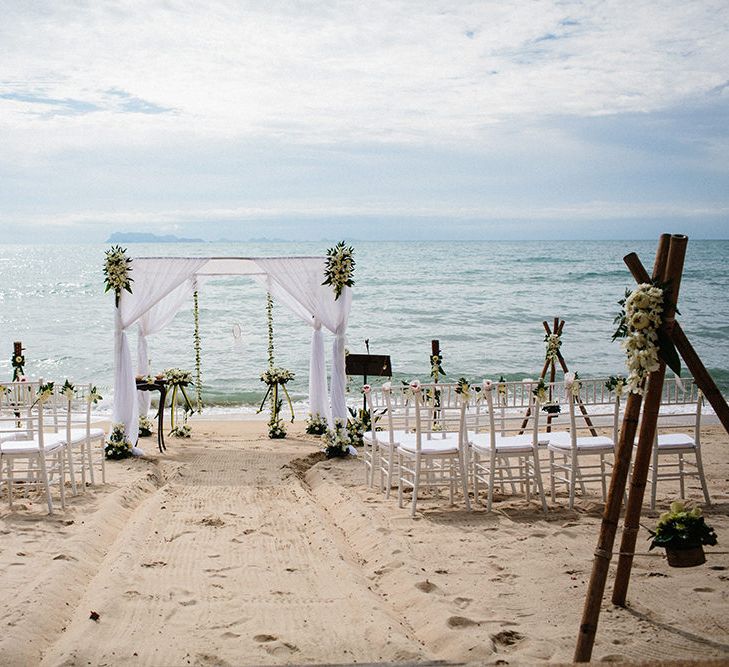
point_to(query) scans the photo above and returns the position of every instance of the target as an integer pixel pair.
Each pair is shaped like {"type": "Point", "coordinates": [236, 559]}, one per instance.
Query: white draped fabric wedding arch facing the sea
{"type": "Point", "coordinates": [161, 285]}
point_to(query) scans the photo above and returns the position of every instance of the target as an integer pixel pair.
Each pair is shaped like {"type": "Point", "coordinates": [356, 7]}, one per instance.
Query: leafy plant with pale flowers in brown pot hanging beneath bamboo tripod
{"type": "Point", "coordinates": [683, 533]}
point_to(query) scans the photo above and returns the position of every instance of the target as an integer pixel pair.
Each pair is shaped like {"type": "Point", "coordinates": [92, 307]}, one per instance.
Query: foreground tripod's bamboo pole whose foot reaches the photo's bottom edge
{"type": "Point", "coordinates": [611, 514]}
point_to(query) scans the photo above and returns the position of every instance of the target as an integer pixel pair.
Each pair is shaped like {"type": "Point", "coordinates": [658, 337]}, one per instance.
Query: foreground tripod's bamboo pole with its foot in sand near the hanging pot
{"type": "Point", "coordinates": [671, 275]}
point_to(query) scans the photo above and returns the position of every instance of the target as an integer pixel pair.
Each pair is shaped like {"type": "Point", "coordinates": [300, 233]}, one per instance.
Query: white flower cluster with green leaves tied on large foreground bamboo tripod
{"type": "Point", "coordinates": [639, 324]}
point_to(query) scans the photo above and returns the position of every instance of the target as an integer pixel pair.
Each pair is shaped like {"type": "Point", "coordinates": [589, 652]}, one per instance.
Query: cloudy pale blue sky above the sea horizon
{"type": "Point", "coordinates": [393, 119]}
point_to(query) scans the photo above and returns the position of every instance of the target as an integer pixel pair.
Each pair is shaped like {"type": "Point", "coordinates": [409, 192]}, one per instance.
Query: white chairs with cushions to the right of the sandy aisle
{"type": "Point", "coordinates": [502, 435]}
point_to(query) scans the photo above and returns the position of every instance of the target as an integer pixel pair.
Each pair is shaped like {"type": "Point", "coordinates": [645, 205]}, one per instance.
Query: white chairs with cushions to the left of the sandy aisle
{"type": "Point", "coordinates": [47, 438]}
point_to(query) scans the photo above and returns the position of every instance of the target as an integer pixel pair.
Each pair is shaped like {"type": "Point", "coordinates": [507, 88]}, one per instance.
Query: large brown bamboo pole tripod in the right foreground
{"type": "Point", "coordinates": [667, 269]}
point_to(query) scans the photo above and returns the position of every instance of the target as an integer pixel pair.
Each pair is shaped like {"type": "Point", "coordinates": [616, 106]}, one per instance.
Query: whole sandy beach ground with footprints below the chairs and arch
{"type": "Point", "coordinates": [232, 549]}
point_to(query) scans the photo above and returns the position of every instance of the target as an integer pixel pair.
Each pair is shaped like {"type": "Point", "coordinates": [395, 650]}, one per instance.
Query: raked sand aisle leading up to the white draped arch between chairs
{"type": "Point", "coordinates": [231, 563]}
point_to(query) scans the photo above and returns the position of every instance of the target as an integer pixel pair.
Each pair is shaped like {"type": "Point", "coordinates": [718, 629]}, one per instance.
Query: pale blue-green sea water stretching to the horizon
{"type": "Point", "coordinates": [484, 301]}
